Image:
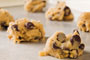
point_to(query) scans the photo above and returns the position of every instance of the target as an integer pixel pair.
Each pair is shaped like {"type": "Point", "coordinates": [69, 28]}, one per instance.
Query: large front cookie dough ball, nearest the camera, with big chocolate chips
{"type": "Point", "coordinates": [61, 46]}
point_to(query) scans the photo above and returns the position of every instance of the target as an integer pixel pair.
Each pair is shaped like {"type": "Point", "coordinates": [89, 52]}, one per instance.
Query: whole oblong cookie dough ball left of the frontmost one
{"type": "Point", "coordinates": [25, 30]}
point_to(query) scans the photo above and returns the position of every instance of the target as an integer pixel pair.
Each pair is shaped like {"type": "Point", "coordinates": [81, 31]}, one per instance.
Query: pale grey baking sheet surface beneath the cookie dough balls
{"type": "Point", "coordinates": [29, 51]}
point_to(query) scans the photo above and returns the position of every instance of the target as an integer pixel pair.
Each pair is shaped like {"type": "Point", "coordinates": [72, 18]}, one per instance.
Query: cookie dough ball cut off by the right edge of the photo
{"type": "Point", "coordinates": [84, 22]}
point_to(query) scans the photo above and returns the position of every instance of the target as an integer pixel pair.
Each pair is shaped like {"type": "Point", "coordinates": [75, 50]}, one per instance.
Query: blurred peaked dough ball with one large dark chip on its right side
{"type": "Point", "coordinates": [59, 13]}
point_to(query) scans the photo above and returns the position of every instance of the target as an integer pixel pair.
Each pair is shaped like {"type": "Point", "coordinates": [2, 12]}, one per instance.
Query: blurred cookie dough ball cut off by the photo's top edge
{"type": "Point", "coordinates": [35, 5]}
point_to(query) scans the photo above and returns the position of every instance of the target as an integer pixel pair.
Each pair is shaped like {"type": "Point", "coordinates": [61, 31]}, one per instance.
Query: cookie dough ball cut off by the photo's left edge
{"type": "Point", "coordinates": [5, 19]}
